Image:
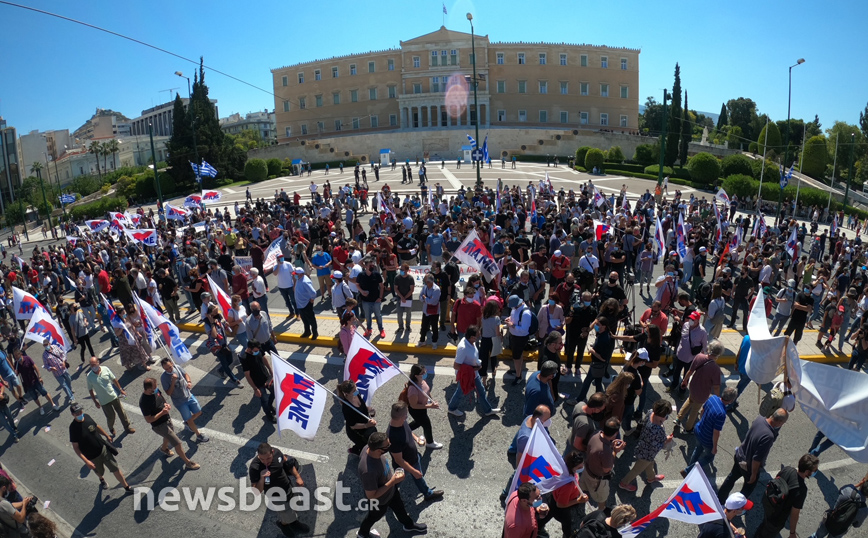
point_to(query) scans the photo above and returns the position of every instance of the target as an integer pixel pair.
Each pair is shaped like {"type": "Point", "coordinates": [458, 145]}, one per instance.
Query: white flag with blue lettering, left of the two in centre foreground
{"type": "Point", "coordinates": [300, 400]}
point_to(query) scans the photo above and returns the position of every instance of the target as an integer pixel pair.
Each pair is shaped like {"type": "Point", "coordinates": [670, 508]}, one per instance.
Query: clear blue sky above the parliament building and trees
{"type": "Point", "coordinates": [56, 73]}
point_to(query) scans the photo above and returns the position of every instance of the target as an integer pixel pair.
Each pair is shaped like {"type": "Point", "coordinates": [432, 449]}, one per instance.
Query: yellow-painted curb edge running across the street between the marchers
{"type": "Point", "coordinates": [449, 350]}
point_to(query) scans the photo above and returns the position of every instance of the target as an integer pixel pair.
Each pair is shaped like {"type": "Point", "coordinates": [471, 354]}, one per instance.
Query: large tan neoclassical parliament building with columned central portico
{"type": "Point", "coordinates": [425, 85]}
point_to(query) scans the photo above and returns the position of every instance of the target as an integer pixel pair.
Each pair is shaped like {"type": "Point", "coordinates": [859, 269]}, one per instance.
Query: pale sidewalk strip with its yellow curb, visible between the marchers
{"type": "Point", "coordinates": [289, 331]}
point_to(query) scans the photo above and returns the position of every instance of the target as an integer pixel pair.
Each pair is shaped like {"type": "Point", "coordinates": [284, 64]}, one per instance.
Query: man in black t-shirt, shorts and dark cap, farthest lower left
{"type": "Point", "coordinates": [84, 434]}
